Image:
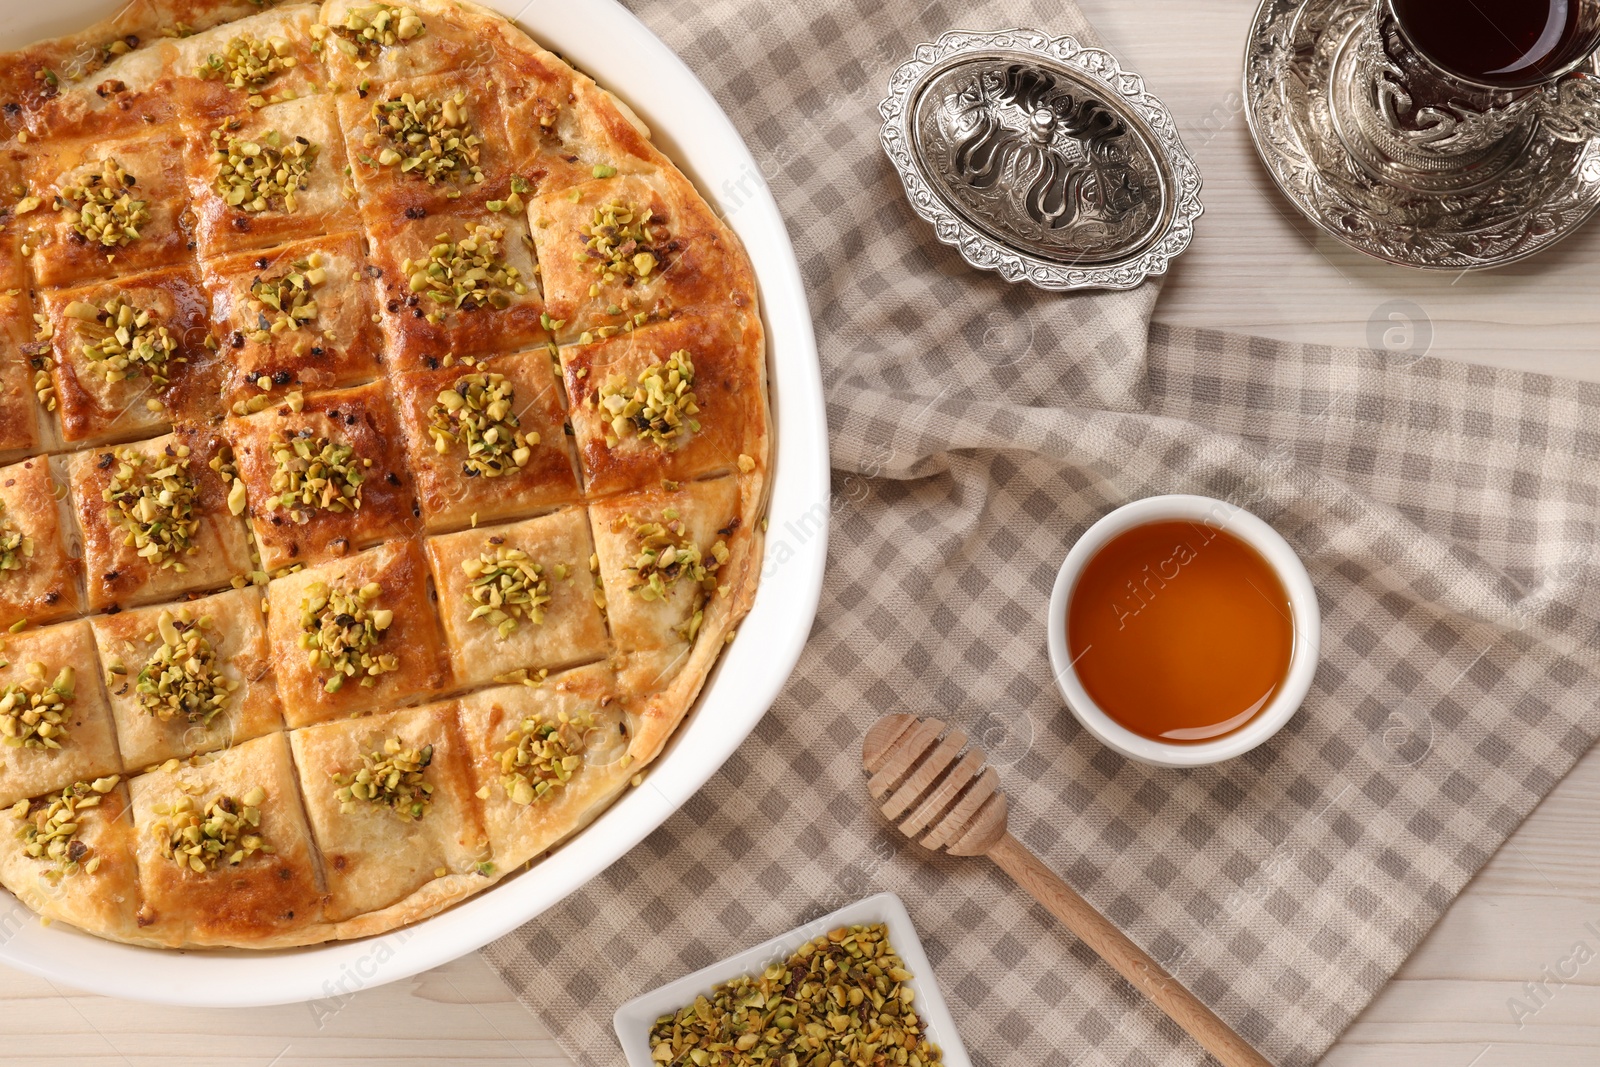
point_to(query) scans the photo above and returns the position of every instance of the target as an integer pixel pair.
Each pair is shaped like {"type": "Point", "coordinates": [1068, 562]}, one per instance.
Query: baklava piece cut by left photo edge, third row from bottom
{"type": "Point", "coordinates": [39, 569]}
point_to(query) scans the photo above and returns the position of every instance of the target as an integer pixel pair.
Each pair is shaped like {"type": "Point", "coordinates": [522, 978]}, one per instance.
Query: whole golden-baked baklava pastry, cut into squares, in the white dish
{"type": "Point", "coordinates": [383, 458]}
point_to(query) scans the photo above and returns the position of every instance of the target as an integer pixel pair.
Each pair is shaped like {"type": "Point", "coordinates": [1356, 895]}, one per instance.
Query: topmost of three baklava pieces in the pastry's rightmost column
{"type": "Point", "coordinates": [623, 252]}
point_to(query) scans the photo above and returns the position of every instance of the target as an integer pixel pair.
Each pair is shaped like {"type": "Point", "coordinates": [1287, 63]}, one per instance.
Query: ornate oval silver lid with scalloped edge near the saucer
{"type": "Point", "coordinates": [1041, 159]}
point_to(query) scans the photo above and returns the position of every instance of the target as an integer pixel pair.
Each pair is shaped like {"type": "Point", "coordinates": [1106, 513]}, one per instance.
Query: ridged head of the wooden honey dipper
{"type": "Point", "coordinates": [935, 789]}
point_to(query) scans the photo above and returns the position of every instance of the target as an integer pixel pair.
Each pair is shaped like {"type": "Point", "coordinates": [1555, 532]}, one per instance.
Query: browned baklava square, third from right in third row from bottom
{"type": "Point", "coordinates": [324, 476]}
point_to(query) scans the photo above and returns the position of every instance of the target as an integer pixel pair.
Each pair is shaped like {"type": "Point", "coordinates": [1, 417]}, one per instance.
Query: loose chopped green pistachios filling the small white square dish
{"type": "Point", "coordinates": [842, 999]}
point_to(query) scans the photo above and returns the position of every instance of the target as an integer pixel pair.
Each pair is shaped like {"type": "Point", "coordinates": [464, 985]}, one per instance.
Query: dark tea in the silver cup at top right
{"type": "Point", "coordinates": [1506, 44]}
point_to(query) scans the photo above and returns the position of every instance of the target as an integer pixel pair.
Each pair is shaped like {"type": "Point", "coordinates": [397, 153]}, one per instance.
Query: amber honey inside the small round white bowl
{"type": "Point", "coordinates": [1180, 631]}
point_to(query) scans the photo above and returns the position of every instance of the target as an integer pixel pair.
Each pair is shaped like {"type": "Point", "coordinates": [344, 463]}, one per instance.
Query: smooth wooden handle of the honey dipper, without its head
{"type": "Point", "coordinates": [1130, 961]}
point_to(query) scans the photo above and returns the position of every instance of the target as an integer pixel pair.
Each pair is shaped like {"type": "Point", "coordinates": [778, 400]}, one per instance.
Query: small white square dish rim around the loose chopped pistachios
{"type": "Point", "coordinates": [633, 1021]}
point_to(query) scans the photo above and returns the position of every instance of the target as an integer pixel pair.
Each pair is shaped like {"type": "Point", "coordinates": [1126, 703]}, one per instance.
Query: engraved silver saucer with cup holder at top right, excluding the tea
{"type": "Point", "coordinates": [1446, 178]}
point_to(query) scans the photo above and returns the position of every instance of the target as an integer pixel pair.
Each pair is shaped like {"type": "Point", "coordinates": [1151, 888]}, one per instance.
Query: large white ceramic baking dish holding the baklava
{"type": "Point", "coordinates": [607, 42]}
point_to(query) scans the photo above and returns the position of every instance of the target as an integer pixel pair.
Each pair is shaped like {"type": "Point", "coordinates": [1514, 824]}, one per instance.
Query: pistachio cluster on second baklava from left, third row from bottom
{"type": "Point", "coordinates": [154, 503]}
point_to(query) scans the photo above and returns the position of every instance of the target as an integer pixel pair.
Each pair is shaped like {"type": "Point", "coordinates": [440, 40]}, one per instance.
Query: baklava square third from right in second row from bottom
{"type": "Point", "coordinates": [356, 634]}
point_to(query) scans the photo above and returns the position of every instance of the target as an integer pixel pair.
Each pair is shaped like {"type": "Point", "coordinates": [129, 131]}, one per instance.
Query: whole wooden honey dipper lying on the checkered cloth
{"type": "Point", "coordinates": [942, 796]}
